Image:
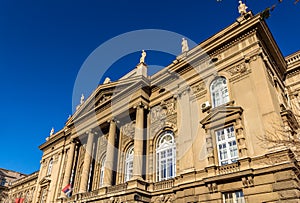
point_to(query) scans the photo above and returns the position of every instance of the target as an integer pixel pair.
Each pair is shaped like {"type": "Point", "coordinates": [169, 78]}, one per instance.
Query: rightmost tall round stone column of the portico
{"type": "Point", "coordinates": [138, 143]}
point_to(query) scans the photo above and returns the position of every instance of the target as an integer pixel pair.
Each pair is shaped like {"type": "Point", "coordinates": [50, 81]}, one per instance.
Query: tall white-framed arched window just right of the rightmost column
{"type": "Point", "coordinates": [165, 156]}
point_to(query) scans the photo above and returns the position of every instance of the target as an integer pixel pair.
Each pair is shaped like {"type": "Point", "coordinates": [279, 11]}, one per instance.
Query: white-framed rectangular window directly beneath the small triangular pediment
{"type": "Point", "coordinates": [227, 146]}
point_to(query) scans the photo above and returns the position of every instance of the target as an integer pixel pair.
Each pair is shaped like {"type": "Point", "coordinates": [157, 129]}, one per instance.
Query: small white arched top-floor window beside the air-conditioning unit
{"type": "Point", "coordinates": [219, 92]}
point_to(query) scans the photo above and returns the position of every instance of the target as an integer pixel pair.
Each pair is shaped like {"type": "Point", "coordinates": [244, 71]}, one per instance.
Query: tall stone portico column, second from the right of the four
{"type": "Point", "coordinates": [110, 154]}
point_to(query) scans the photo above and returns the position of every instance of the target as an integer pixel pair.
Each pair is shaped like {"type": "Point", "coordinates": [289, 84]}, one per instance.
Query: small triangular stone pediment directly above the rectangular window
{"type": "Point", "coordinates": [221, 115]}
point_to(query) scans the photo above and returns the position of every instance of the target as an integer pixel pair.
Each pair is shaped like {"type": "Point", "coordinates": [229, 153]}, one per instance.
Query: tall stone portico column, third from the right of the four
{"type": "Point", "coordinates": [86, 163]}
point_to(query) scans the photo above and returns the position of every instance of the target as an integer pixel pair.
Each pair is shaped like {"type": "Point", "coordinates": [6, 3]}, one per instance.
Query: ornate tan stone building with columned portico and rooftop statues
{"type": "Point", "coordinates": [193, 132]}
